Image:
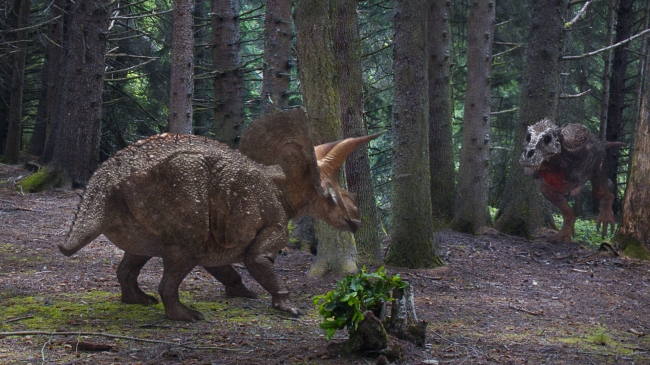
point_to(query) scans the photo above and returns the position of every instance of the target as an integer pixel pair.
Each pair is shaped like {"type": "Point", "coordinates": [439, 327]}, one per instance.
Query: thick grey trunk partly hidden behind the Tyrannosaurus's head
{"type": "Point", "coordinates": [522, 210]}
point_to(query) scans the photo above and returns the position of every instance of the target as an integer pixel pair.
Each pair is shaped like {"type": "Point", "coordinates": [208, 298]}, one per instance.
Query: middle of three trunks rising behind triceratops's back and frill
{"type": "Point", "coordinates": [229, 79]}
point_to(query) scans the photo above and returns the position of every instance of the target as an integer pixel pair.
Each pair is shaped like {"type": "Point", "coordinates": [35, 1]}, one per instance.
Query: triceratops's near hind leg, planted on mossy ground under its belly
{"type": "Point", "coordinates": [174, 271]}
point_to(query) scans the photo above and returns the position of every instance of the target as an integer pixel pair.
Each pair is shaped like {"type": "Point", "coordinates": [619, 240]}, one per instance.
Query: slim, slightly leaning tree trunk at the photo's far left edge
{"type": "Point", "coordinates": [14, 130]}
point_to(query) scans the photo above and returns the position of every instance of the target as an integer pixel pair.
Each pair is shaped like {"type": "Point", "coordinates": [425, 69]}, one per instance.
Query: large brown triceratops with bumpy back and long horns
{"type": "Point", "coordinates": [195, 202]}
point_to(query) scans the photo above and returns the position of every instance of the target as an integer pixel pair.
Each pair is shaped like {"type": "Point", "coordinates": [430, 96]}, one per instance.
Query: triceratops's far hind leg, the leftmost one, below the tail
{"type": "Point", "coordinates": [127, 275]}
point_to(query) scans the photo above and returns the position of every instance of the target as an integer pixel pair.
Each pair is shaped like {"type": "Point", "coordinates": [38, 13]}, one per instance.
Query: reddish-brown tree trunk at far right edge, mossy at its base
{"type": "Point", "coordinates": [633, 234]}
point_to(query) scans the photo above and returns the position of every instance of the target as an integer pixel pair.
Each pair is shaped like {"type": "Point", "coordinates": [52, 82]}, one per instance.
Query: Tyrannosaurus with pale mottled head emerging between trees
{"type": "Point", "coordinates": [565, 158]}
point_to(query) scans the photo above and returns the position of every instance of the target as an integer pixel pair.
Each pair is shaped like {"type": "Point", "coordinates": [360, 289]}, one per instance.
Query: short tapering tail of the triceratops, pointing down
{"type": "Point", "coordinates": [86, 226]}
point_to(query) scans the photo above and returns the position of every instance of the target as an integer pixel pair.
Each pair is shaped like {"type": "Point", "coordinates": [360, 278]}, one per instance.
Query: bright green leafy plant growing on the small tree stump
{"type": "Point", "coordinates": [354, 295]}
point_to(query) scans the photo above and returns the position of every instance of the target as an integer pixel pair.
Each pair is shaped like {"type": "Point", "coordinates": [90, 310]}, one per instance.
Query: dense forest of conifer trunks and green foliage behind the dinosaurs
{"type": "Point", "coordinates": [82, 80]}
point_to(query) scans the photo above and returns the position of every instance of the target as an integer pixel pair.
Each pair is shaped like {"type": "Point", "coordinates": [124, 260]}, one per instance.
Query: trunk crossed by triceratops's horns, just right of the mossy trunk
{"type": "Point", "coordinates": [357, 165]}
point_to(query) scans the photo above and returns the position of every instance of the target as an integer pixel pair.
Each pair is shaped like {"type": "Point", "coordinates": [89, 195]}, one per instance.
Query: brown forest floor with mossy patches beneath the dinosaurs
{"type": "Point", "coordinates": [498, 300]}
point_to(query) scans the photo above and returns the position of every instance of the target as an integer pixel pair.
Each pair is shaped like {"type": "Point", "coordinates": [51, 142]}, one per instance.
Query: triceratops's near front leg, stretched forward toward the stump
{"type": "Point", "coordinates": [259, 259]}
